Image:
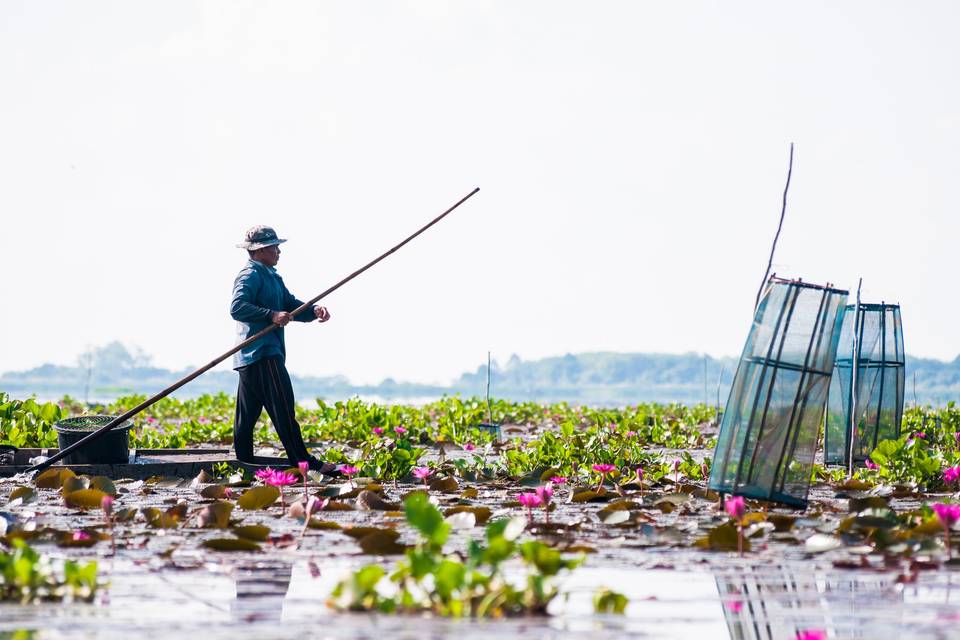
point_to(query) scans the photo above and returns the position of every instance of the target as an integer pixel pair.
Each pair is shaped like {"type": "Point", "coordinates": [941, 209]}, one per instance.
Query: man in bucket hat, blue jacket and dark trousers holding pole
{"type": "Point", "coordinates": [259, 299]}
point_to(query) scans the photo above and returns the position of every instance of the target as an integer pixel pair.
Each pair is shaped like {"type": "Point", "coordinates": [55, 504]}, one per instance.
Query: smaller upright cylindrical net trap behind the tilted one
{"type": "Point", "coordinates": [878, 398]}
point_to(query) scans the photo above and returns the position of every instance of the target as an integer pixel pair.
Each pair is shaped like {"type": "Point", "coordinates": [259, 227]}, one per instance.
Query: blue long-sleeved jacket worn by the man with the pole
{"type": "Point", "coordinates": [258, 291]}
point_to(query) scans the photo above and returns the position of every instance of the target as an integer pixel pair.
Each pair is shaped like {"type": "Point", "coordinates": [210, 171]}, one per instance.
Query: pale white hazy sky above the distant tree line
{"type": "Point", "coordinates": [631, 159]}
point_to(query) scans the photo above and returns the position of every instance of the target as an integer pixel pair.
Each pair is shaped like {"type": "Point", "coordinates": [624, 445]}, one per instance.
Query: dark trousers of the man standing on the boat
{"type": "Point", "coordinates": [266, 384]}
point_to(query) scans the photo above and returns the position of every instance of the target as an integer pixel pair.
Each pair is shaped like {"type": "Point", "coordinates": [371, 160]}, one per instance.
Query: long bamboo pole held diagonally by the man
{"type": "Point", "coordinates": [306, 305]}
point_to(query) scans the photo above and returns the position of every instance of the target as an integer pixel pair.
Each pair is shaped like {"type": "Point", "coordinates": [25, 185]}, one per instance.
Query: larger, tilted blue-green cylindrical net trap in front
{"type": "Point", "coordinates": [771, 425]}
